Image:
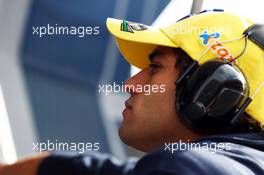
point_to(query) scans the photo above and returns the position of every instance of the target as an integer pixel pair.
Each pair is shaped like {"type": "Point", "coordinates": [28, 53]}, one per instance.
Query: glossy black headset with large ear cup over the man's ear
{"type": "Point", "coordinates": [211, 97]}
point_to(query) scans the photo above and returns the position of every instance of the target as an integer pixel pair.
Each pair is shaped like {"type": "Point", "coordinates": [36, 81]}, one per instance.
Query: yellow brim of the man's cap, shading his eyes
{"type": "Point", "coordinates": [137, 43]}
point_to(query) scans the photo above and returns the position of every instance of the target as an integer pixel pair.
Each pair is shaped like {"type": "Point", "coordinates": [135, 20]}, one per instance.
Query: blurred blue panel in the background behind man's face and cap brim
{"type": "Point", "coordinates": [62, 72]}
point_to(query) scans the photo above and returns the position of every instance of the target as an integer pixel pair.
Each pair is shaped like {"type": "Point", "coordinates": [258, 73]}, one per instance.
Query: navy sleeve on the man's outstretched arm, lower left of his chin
{"type": "Point", "coordinates": [88, 164]}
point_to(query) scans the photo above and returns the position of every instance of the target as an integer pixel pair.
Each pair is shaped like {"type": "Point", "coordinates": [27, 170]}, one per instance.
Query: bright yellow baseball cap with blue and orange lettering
{"type": "Point", "coordinates": [197, 36]}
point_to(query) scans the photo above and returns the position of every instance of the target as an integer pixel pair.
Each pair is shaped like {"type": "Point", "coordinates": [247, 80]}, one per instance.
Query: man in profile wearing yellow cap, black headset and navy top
{"type": "Point", "coordinates": [213, 96]}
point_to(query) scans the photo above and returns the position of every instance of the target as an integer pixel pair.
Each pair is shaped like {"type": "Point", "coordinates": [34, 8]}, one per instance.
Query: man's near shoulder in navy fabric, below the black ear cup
{"type": "Point", "coordinates": [214, 156]}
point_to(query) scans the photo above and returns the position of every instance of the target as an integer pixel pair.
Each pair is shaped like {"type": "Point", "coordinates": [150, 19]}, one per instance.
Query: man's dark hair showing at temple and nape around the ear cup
{"type": "Point", "coordinates": [245, 125]}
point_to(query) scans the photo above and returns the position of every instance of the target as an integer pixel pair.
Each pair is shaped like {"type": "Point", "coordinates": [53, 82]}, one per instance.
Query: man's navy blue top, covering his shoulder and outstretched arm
{"type": "Point", "coordinates": [244, 156]}
